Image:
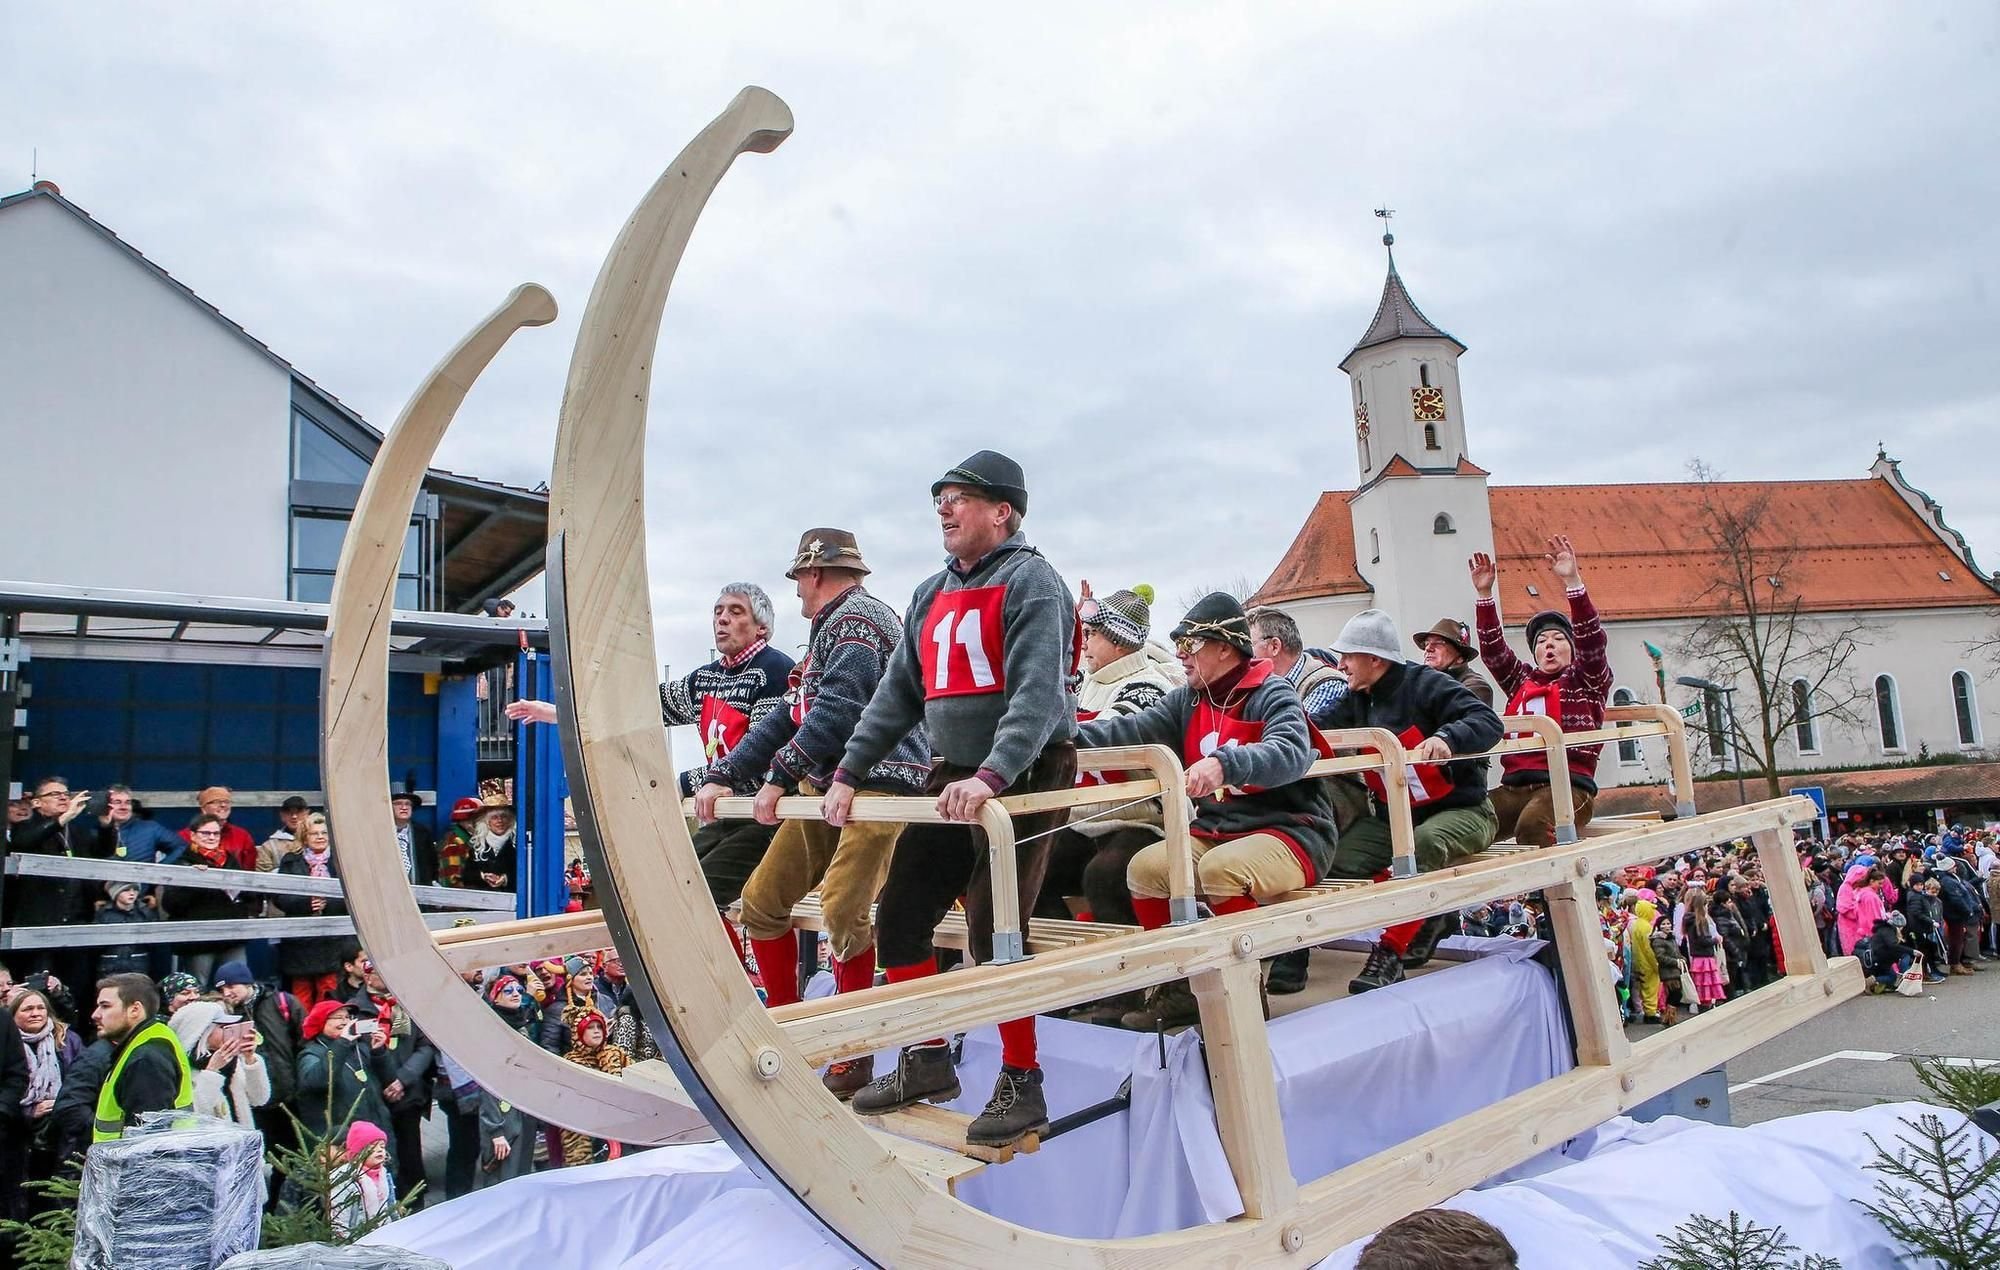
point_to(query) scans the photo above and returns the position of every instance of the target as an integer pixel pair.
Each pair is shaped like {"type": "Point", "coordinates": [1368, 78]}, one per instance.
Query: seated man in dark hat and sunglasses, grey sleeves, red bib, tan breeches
{"type": "Point", "coordinates": [1259, 829]}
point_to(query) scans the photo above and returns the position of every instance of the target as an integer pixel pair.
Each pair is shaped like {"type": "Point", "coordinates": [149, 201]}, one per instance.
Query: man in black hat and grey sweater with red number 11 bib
{"type": "Point", "coordinates": [985, 663]}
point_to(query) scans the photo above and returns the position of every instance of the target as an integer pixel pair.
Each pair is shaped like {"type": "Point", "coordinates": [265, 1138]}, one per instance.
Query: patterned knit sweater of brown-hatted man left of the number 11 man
{"type": "Point", "coordinates": [847, 655]}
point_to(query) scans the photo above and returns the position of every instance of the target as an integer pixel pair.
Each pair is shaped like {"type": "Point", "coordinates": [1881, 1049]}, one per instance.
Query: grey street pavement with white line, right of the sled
{"type": "Point", "coordinates": [1859, 1053]}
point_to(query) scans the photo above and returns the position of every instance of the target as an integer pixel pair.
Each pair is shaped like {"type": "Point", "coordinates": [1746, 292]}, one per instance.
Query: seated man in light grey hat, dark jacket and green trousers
{"type": "Point", "coordinates": [1435, 717]}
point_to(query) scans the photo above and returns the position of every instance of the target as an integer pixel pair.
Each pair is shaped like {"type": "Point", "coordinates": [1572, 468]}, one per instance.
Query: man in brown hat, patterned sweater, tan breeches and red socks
{"type": "Point", "coordinates": [847, 653]}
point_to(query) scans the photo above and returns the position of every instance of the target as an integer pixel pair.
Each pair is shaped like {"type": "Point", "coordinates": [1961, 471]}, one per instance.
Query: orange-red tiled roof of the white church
{"type": "Point", "coordinates": [1857, 545]}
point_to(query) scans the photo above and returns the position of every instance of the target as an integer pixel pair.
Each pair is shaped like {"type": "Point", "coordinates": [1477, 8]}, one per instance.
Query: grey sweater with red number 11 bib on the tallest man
{"type": "Point", "coordinates": [979, 719]}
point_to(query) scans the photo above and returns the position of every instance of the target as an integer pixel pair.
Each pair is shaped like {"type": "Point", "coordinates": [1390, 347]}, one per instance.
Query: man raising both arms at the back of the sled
{"type": "Point", "coordinates": [1569, 681]}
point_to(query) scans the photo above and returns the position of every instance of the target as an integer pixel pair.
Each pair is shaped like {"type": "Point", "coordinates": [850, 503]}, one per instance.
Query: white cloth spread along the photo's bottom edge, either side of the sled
{"type": "Point", "coordinates": [695, 1207]}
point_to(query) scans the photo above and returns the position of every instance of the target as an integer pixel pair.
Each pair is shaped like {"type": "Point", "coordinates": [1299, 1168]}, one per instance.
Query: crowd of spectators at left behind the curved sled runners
{"type": "Point", "coordinates": [311, 1039]}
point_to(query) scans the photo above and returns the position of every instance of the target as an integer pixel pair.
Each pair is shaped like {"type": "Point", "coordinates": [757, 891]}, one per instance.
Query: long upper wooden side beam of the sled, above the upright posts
{"type": "Point", "coordinates": [863, 1023]}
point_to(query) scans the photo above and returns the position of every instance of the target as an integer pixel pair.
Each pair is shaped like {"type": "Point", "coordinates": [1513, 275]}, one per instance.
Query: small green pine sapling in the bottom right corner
{"type": "Point", "coordinates": [1939, 1195]}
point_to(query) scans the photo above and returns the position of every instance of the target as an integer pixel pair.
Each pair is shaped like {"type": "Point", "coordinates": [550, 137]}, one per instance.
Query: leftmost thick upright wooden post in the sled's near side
{"type": "Point", "coordinates": [1245, 1087]}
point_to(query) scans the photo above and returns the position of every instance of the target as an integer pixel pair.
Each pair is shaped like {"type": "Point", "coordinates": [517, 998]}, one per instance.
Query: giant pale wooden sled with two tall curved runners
{"type": "Point", "coordinates": [751, 1071]}
